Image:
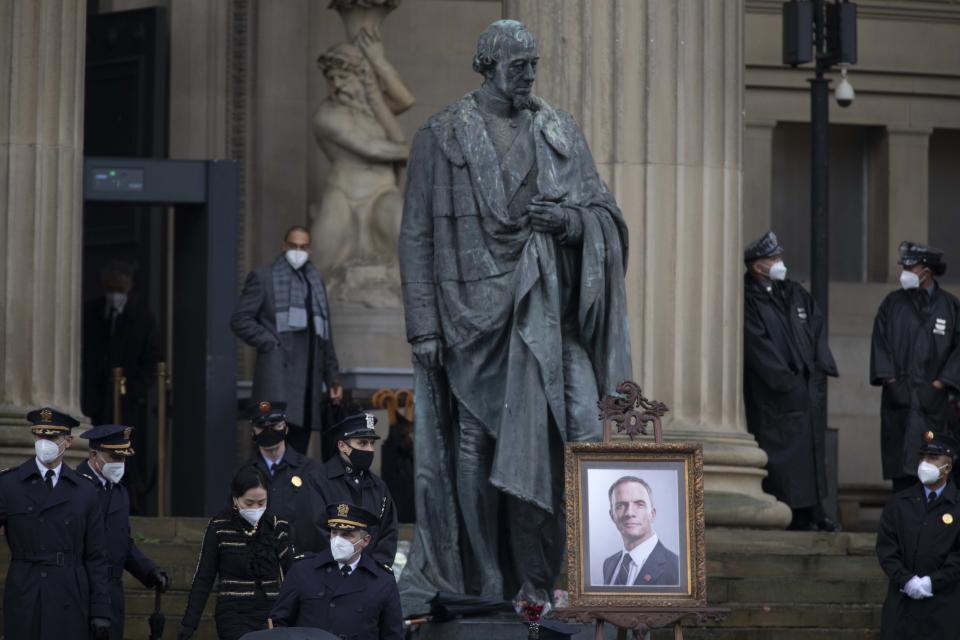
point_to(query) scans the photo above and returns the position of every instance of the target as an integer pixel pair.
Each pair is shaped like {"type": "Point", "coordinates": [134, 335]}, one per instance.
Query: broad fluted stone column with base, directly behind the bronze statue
{"type": "Point", "coordinates": [658, 89]}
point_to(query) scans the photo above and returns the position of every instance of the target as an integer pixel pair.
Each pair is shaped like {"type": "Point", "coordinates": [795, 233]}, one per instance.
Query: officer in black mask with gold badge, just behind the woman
{"type": "Point", "coordinates": [285, 469]}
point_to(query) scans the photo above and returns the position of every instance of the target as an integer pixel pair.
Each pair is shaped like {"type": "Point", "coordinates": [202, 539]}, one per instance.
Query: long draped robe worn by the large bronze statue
{"type": "Point", "coordinates": [503, 299]}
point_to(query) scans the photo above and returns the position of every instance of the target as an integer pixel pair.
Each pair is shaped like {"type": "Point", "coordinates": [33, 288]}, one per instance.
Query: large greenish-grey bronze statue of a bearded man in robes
{"type": "Point", "coordinates": [512, 259]}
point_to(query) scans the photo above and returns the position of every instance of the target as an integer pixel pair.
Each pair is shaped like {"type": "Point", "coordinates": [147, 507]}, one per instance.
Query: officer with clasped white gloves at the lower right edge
{"type": "Point", "coordinates": [918, 546]}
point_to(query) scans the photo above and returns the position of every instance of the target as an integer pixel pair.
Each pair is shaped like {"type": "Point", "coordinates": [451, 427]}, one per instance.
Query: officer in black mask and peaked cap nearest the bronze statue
{"type": "Point", "coordinates": [346, 478]}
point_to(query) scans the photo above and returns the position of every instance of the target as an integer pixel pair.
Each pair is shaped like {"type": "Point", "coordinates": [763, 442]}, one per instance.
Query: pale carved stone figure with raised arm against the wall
{"type": "Point", "coordinates": [355, 227]}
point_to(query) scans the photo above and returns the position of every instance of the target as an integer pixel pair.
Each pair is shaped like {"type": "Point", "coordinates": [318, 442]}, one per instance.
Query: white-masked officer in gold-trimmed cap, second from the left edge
{"type": "Point", "coordinates": [110, 447]}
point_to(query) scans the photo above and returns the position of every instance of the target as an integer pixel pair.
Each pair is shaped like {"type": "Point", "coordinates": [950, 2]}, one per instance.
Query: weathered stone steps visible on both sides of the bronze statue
{"type": "Point", "coordinates": [779, 585]}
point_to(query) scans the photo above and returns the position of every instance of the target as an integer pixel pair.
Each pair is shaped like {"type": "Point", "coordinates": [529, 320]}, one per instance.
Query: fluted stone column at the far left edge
{"type": "Point", "coordinates": [42, 52]}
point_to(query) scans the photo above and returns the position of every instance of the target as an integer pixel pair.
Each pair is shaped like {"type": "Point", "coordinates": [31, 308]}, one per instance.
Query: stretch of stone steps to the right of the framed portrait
{"type": "Point", "coordinates": [792, 586]}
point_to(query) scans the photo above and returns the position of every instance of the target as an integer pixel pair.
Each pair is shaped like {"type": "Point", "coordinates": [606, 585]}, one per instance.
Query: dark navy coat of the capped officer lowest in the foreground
{"type": "Point", "coordinates": [362, 606]}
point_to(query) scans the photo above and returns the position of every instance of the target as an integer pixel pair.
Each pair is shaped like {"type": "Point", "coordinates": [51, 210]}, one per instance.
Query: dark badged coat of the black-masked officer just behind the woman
{"type": "Point", "coordinates": [290, 493]}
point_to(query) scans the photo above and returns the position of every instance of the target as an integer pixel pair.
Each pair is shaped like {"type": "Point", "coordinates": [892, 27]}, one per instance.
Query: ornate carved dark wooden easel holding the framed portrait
{"type": "Point", "coordinates": [632, 412]}
